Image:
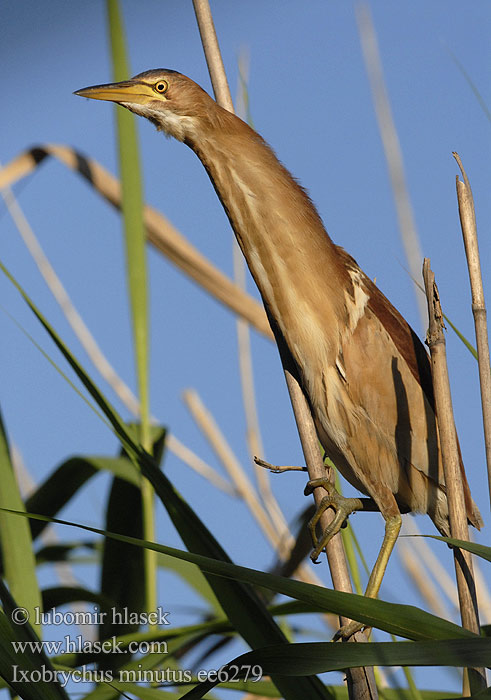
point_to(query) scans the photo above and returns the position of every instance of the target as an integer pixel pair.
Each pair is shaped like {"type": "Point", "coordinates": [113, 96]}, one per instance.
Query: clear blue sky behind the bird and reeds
{"type": "Point", "coordinates": [310, 99]}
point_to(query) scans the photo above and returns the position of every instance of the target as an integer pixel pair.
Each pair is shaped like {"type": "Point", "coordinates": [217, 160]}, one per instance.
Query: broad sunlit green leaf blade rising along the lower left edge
{"type": "Point", "coordinates": [19, 564]}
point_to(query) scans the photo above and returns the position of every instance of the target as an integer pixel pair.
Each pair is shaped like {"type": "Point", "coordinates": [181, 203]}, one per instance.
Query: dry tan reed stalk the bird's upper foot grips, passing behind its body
{"type": "Point", "coordinates": [361, 682]}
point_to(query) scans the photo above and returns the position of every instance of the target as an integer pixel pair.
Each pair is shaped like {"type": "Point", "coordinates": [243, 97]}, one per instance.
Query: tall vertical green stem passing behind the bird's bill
{"type": "Point", "coordinates": [132, 199]}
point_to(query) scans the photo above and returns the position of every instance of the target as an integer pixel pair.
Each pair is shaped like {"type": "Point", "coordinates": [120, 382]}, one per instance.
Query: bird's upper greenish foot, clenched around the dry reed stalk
{"type": "Point", "coordinates": [342, 506]}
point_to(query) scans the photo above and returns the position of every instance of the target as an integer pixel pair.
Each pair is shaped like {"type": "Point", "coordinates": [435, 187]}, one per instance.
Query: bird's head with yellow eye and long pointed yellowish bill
{"type": "Point", "coordinates": [173, 102]}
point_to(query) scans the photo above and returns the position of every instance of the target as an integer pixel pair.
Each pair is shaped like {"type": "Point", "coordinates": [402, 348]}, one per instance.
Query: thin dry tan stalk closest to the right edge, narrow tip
{"type": "Point", "coordinates": [469, 232]}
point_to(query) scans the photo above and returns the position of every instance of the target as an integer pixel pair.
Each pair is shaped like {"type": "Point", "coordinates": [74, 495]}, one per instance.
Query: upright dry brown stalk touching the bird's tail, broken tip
{"type": "Point", "coordinates": [451, 465]}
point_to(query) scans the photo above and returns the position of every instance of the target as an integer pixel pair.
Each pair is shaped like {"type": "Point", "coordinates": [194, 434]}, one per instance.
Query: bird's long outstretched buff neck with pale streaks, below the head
{"type": "Point", "coordinates": [291, 257]}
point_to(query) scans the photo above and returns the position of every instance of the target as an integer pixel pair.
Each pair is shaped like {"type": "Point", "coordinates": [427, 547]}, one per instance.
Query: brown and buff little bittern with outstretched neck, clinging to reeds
{"type": "Point", "coordinates": [365, 373]}
